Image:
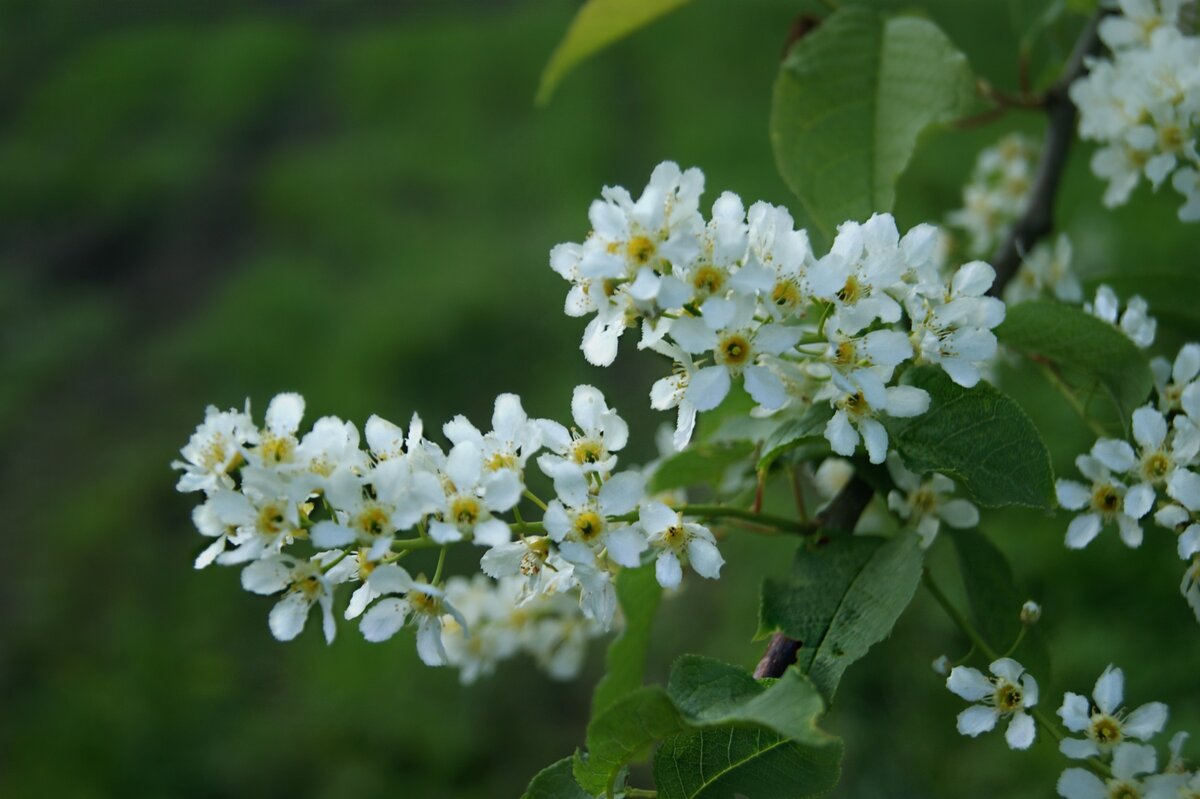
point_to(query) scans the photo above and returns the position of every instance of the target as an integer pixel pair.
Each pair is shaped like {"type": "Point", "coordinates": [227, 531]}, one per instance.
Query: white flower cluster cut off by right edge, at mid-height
{"type": "Point", "coordinates": [1161, 465]}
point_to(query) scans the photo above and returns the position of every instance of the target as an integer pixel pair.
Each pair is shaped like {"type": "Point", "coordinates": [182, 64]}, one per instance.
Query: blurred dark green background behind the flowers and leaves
{"type": "Point", "coordinates": [356, 201]}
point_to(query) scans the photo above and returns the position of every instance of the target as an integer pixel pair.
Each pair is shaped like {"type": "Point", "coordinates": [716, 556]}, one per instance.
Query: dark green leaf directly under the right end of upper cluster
{"type": "Point", "coordinates": [979, 436]}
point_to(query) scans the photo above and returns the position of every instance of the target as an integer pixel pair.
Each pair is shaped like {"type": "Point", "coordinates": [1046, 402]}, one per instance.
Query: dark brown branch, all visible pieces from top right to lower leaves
{"type": "Point", "coordinates": [1035, 224]}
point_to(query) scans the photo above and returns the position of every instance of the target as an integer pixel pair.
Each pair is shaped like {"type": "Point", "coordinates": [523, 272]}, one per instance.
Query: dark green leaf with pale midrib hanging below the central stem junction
{"type": "Point", "coordinates": [841, 600]}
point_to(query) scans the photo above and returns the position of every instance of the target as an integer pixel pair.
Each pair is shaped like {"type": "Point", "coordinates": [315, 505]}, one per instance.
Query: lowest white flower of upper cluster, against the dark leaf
{"type": "Point", "coordinates": [857, 400]}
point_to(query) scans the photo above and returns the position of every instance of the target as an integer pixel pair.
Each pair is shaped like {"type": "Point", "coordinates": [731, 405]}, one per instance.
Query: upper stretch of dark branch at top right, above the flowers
{"type": "Point", "coordinates": [1037, 220]}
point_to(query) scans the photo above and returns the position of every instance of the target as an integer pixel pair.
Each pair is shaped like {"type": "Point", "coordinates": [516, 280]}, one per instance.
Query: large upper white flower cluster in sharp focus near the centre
{"type": "Point", "coordinates": [742, 298]}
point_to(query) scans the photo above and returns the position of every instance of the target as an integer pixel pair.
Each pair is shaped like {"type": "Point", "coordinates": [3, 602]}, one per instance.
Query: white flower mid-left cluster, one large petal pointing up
{"type": "Point", "coordinates": [472, 496]}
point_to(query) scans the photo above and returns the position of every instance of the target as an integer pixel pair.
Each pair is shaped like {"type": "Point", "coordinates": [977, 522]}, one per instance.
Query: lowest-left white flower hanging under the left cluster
{"type": "Point", "coordinates": [305, 584]}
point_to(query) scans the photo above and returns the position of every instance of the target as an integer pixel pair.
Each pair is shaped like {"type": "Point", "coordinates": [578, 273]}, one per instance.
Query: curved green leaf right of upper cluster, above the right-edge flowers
{"type": "Point", "coordinates": [1088, 352]}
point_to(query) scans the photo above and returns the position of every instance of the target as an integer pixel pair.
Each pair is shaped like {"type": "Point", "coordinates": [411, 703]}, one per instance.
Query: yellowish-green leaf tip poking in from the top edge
{"type": "Point", "coordinates": [597, 26]}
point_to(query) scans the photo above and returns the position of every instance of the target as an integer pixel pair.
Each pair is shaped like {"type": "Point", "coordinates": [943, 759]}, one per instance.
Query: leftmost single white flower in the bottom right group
{"type": "Point", "coordinates": [1007, 694]}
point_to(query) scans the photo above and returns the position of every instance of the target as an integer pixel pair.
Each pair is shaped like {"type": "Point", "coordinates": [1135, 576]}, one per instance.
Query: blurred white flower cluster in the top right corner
{"type": "Point", "coordinates": [1143, 105]}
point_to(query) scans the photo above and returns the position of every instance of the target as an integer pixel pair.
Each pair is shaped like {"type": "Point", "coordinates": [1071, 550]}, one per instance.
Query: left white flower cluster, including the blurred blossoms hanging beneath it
{"type": "Point", "coordinates": [545, 591]}
